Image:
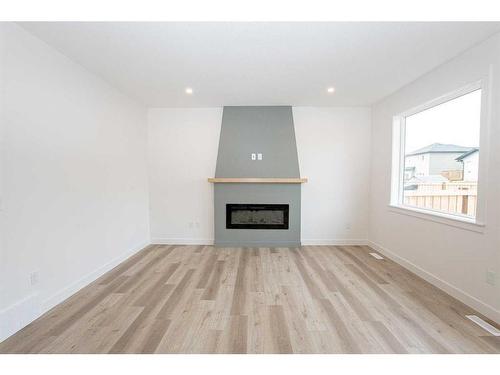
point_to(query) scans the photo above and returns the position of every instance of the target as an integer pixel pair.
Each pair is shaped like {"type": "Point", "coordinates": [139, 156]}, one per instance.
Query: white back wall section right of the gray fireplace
{"type": "Point", "coordinates": [334, 153]}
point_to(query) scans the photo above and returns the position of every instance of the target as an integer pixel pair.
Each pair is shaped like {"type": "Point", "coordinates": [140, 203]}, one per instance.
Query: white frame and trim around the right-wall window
{"type": "Point", "coordinates": [398, 161]}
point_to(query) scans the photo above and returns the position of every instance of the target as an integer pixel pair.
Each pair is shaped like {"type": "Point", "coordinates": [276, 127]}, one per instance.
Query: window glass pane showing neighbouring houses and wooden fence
{"type": "Point", "coordinates": [442, 156]}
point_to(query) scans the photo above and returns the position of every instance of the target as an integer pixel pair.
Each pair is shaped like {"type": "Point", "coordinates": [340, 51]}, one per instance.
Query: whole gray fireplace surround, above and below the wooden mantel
{"type": "Point", "coordinates": [266, 130]}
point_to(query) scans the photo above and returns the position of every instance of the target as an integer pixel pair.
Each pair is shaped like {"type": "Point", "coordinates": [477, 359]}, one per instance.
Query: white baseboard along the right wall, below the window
{"type": "Point", "coordinates": [485, 309]}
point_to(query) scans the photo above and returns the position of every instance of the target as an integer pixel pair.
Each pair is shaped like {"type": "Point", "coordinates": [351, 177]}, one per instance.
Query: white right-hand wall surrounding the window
{"type": "Point", "coordinates": [453, 258]}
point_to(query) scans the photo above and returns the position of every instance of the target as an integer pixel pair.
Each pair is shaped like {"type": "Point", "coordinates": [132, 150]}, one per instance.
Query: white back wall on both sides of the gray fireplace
{"type": "Point", "coordinates": [334, 150]}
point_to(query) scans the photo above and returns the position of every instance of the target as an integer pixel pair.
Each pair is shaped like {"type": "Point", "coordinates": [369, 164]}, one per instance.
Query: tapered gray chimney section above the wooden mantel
{"type": "Point", "coordinates": [266, 130]}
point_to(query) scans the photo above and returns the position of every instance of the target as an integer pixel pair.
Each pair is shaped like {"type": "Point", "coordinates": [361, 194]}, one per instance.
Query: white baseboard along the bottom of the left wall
{"type": "Point", "coordinates": [23, 312]}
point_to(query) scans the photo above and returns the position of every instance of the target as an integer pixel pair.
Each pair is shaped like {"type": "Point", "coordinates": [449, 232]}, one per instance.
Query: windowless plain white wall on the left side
{"type": "Point", "coordinates": [74, 184]}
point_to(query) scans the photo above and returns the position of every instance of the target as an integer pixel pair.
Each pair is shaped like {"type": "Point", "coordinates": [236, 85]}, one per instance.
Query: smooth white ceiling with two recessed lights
{"type": "Point", "coordinates": [260, 63]}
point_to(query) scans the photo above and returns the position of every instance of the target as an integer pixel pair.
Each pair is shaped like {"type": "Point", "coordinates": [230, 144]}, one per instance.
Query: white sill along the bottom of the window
{"type": "Point", "coordinates": [441, 218]}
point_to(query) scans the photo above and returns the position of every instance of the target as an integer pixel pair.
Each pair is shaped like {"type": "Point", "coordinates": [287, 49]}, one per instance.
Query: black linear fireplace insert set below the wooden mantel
{"type": "Point", "coordinates": [257, 216]}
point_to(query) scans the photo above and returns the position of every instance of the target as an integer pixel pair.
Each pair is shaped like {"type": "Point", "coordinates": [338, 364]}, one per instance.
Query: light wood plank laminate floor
{"type": "Point", "coordinates": [202, 299]}
